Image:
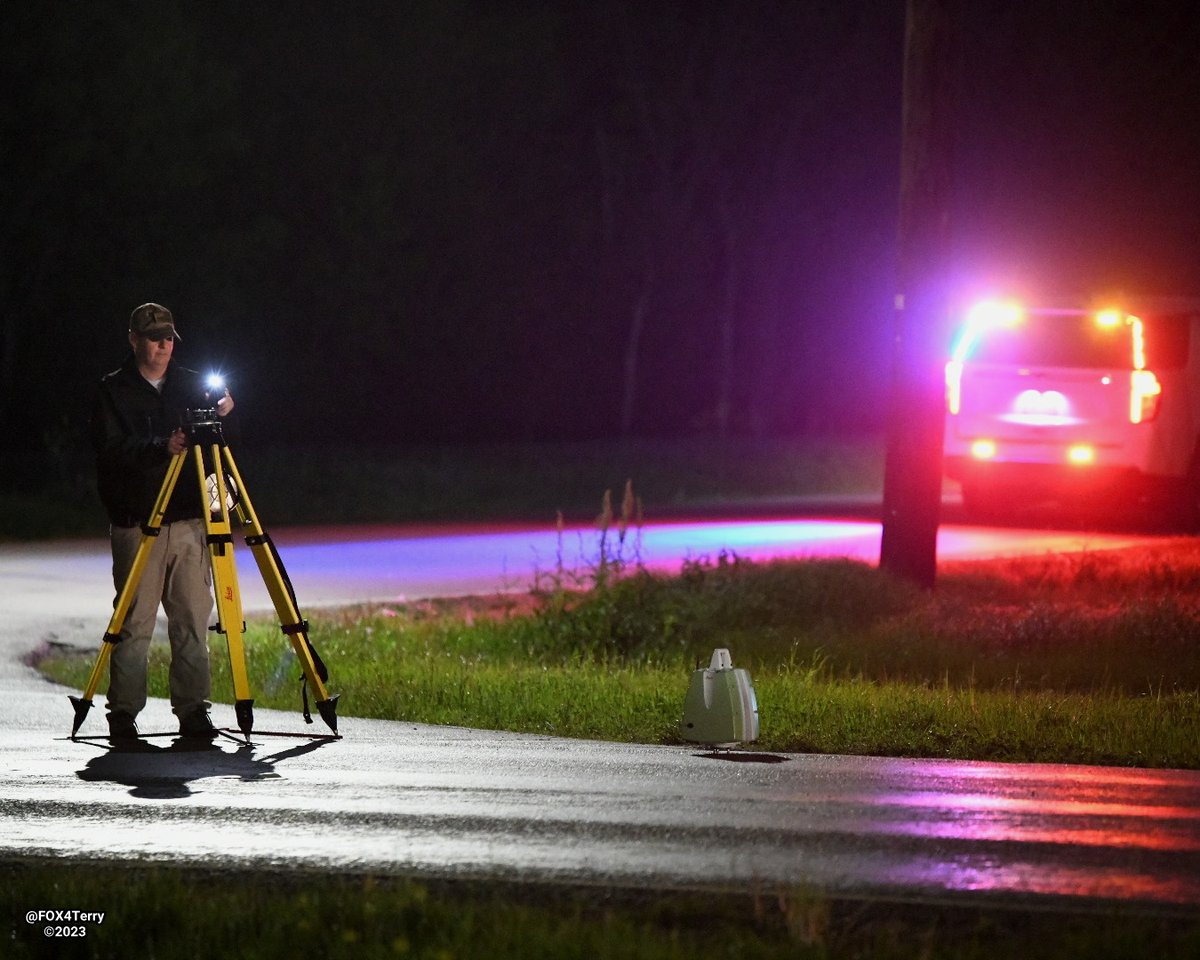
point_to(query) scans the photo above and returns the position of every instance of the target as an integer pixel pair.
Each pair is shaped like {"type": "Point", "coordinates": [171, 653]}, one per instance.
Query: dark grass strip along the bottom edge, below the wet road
{"type": "Point", "coordinates": [172, 914]}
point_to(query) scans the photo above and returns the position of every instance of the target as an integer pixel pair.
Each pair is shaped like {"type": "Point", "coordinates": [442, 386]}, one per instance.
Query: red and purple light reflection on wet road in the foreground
{"type": "Point", "coordinates": [1126, 817]}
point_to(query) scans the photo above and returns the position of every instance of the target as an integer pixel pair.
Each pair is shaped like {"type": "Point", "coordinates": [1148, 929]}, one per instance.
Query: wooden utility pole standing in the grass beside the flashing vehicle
{"type": "Point", "coordinates": [913, 479]}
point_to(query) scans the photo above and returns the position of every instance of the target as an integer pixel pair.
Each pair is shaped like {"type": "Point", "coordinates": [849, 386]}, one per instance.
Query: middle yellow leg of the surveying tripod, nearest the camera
{"type": "Point", "coordinates": [231, 620]}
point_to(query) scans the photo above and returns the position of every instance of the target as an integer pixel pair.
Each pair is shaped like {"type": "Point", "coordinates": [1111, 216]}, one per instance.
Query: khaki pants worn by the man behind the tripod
{"type": "Point", "coordinates": [178, 577]}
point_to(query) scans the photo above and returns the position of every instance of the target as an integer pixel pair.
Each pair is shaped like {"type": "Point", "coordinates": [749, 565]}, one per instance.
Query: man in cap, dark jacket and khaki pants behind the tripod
{"type": "Point", "coordinates": [136, 430]}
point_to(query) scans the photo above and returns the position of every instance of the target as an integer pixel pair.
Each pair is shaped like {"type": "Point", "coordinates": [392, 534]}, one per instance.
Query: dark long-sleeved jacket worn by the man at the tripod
{"type": "Point", "coordinates": [131, 423]}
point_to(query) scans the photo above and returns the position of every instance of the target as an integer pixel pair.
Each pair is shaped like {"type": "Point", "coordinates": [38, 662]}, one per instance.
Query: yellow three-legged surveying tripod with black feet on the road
{"type": "Point", "coordinates": [224, 493]}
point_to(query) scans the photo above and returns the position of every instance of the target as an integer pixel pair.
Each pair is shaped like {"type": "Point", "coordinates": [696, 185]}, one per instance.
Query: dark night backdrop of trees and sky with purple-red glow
{"type": "Point", "coordinates": [470, 220]}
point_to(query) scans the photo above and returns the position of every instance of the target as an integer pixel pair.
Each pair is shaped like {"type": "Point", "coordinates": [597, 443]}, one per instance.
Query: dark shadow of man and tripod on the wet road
{"type": "Point", "coordinates": [166, 773]}
